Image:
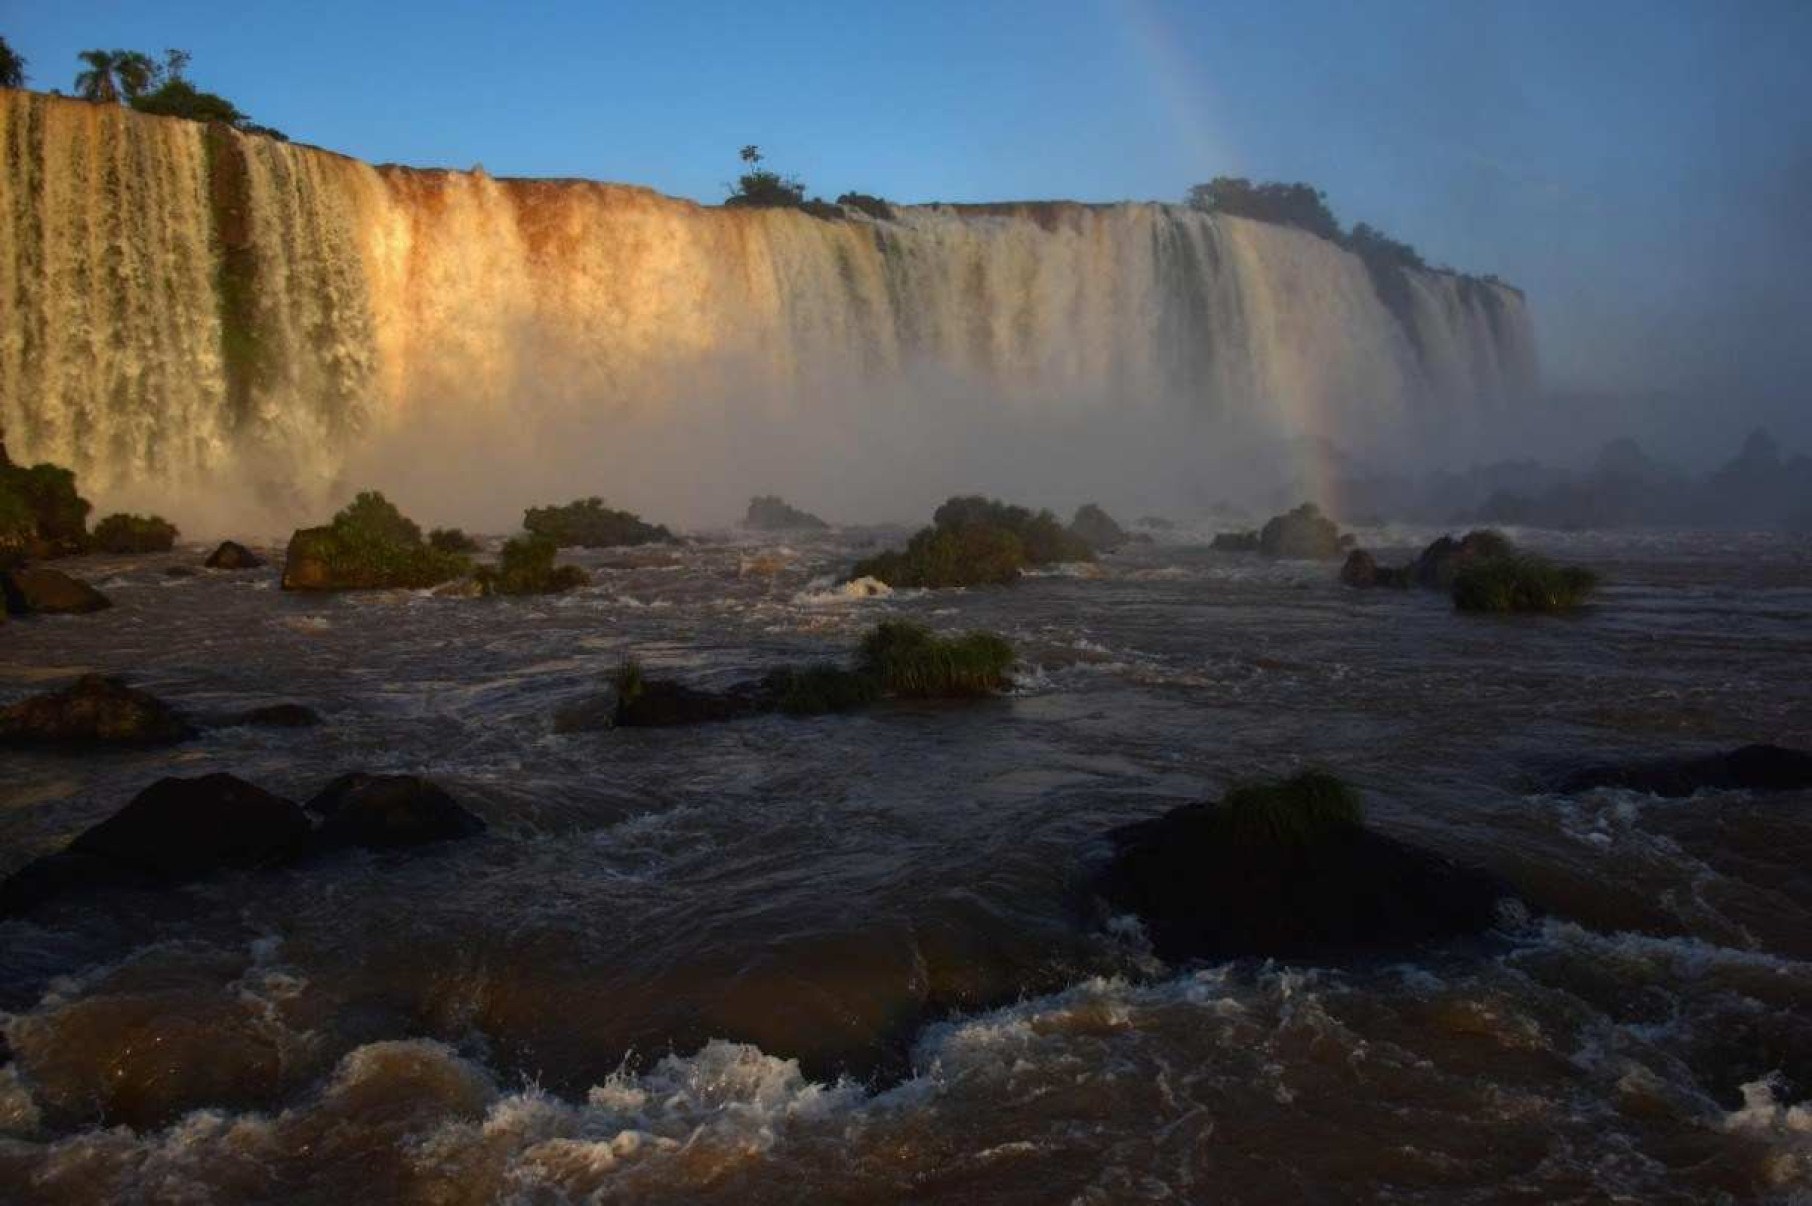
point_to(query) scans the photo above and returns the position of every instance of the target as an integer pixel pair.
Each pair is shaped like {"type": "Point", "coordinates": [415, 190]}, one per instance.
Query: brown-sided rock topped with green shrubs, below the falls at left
{"type": "Point", "coordinates": [371, 546]}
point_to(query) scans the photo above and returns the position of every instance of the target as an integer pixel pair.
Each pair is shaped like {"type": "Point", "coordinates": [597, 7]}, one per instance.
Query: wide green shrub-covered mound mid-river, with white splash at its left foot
{"type": "Point", "coordinates": [978, 542]}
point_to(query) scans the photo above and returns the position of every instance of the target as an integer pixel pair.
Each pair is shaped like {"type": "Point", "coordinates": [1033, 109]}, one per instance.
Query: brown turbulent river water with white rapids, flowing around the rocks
{"type": "Point", "coordinates": [854, 959]}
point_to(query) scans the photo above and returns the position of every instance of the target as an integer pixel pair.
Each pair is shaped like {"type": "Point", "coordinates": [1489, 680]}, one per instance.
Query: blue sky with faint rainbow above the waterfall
{"type": "Point", "coordinates": [1641, 167]}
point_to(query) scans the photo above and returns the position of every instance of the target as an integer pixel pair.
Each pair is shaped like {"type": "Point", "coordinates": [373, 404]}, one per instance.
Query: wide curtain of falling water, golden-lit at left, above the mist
{"type": "Point", "coordinates": [180, 296]}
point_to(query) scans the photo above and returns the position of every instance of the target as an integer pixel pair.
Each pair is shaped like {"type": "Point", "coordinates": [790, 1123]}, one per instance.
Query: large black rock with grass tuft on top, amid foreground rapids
{"type": "Point", "coordinates": [1287, 870]}
